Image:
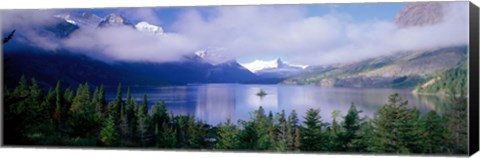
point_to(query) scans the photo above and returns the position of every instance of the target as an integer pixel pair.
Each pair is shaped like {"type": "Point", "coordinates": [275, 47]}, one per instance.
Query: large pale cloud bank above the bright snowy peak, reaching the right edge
{"type": "Point", "coordinates": [327, 39]}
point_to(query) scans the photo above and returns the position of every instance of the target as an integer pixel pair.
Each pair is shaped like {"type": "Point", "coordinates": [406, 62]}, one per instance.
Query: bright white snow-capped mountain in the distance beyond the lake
{"type": "Point", "coordinates": [260, 65]}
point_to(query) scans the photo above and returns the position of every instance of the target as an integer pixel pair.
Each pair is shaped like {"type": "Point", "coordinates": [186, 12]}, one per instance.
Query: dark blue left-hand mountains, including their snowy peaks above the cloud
{"type": "Point", "coordinates": [73, 67]}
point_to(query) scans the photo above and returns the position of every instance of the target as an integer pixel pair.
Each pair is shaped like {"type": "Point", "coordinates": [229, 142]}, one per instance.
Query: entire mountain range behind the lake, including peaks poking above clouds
{"type": "Point", "coordinates": [409, 69]}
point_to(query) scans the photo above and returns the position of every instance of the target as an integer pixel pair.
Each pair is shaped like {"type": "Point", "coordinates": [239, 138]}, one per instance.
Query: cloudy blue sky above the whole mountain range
{"type": "Point", "coordinates": [315, 34]}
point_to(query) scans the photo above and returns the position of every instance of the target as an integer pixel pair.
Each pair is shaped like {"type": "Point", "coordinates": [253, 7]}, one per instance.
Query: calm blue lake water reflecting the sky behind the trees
{"type": "Point", "coordinates": [214, 103]}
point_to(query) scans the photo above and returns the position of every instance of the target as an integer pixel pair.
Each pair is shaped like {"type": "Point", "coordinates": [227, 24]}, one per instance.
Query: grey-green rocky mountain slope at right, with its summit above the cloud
{"type": "Point", "coordinates": [407, 69]}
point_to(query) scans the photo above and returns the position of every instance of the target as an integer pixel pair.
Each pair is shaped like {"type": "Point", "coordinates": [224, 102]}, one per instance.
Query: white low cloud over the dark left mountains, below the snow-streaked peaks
{"type": "Point", "coordinates": [127, 44]}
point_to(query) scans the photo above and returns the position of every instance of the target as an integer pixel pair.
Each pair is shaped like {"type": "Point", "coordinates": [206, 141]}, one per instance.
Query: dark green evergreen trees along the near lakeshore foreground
{"type": "Point", "coordinates": [64, 117]}
